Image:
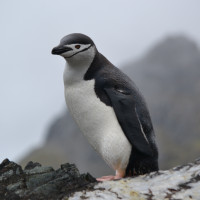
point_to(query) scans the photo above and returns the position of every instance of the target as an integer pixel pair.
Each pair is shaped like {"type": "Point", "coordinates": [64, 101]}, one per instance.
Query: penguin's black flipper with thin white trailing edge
{"type": "Point", "coordinates": [123, 104]}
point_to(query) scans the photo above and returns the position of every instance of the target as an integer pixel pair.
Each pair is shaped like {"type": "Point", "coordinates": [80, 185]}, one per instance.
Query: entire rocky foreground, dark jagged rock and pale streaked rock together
{"type": "Point", "coordinates": [37, 182]}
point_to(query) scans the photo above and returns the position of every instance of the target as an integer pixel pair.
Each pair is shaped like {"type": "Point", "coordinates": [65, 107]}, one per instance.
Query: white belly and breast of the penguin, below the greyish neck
{"type": "Point", "coordinates": [98, 123]}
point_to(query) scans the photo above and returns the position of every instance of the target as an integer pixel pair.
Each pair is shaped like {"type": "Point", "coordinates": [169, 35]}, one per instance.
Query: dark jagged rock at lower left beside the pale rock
{"type": "Point", "coordinates": [38, 182]}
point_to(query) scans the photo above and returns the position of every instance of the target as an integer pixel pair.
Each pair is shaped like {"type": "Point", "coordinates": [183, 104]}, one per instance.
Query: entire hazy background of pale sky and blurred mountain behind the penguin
{"type": "Point", "coordinates": [155, 42]}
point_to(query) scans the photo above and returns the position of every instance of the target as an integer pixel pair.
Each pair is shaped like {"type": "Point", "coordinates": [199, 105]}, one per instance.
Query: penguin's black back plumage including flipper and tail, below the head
{"type": "Point", "coordinates": [117, 90]}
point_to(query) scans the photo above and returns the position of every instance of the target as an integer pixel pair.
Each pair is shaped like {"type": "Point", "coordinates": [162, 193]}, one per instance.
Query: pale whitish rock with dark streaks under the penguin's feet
{"type": "Point", "coordinates": [179, 183]}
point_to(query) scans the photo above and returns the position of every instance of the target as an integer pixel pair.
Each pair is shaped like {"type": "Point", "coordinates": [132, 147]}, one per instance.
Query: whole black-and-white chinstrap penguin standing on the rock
{"type": "Point", "coordinates": [108, 108]}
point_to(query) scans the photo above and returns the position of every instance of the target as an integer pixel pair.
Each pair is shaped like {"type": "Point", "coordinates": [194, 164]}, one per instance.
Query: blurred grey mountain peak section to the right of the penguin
{"type": "Point", "coordinates": [168, 76]}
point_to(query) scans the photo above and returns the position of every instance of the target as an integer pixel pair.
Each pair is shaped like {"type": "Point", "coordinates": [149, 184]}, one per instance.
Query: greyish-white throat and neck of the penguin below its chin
{"type": "Point", "coordinates": [76, 67]}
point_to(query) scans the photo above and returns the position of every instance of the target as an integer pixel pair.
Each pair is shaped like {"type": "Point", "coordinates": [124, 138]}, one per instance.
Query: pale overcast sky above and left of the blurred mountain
{"type": "Point", "coordinates": [31, 83]}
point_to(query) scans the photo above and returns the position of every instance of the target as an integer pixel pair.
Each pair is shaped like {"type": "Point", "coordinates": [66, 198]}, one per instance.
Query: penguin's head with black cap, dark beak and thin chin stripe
{"type": "Point", "coordinates": [75, 47]}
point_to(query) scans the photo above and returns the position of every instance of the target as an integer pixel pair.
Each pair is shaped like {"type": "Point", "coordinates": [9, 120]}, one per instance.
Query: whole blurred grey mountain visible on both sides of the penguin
{"type": "Point", "coordinates": [168, 77]}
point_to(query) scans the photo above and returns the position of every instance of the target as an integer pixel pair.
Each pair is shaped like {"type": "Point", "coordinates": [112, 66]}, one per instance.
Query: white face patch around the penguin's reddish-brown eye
{"type": "Point", "coordinates": [76, 49]}
